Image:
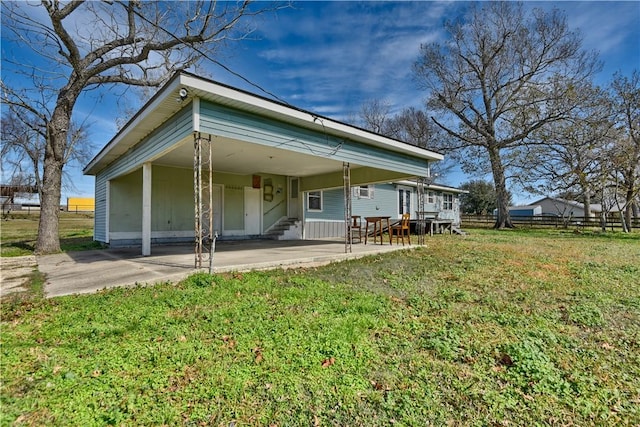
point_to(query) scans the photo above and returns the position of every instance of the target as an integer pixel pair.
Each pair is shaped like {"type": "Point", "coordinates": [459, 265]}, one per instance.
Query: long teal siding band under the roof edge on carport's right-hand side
{"type": "Point", "coordinates": [223, 121]}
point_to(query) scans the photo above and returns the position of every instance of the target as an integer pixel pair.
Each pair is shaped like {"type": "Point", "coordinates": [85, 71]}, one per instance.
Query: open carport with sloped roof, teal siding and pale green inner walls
{"type": "Point", "coordinates": [202, 157]}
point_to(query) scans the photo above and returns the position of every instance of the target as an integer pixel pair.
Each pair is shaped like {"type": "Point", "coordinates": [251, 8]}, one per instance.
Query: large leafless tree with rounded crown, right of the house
{"type": "Point", "coordinates": [501, 75]}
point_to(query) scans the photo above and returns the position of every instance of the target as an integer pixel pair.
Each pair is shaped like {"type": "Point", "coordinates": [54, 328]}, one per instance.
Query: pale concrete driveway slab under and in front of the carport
{"type": "Point", "coordinates": [89, 271]}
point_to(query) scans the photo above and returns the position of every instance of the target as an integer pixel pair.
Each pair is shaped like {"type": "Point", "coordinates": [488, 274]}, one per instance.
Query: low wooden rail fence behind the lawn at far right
{"type": "Point", "coordinates": [543, 221]}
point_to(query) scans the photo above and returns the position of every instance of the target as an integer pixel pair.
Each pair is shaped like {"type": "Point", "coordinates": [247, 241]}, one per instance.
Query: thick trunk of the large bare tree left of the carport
{"type": "Point", "coordinates": [48, 236]}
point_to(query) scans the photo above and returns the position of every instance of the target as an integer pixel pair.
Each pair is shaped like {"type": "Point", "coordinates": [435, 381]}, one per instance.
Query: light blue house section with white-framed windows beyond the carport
{"type": "Point", "coordinates": [324, 210]}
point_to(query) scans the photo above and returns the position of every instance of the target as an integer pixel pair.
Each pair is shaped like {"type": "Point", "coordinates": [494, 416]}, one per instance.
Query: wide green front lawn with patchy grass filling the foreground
{"type": "Point", "coordinates": [497, 328]}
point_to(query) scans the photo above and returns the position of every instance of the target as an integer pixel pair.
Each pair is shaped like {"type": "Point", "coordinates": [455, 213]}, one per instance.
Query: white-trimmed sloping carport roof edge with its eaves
{"type": "Point", "coordinates": [167, 102]}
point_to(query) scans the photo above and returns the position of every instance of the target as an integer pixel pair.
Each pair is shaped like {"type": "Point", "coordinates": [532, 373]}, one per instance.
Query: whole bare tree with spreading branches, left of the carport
{"type": "Point", "coordinates": [83, 45]}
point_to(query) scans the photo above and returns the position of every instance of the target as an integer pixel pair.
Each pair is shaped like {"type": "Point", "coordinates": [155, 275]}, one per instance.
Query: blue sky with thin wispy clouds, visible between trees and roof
{"type": "Point", "coordinates": [331, 57]}
